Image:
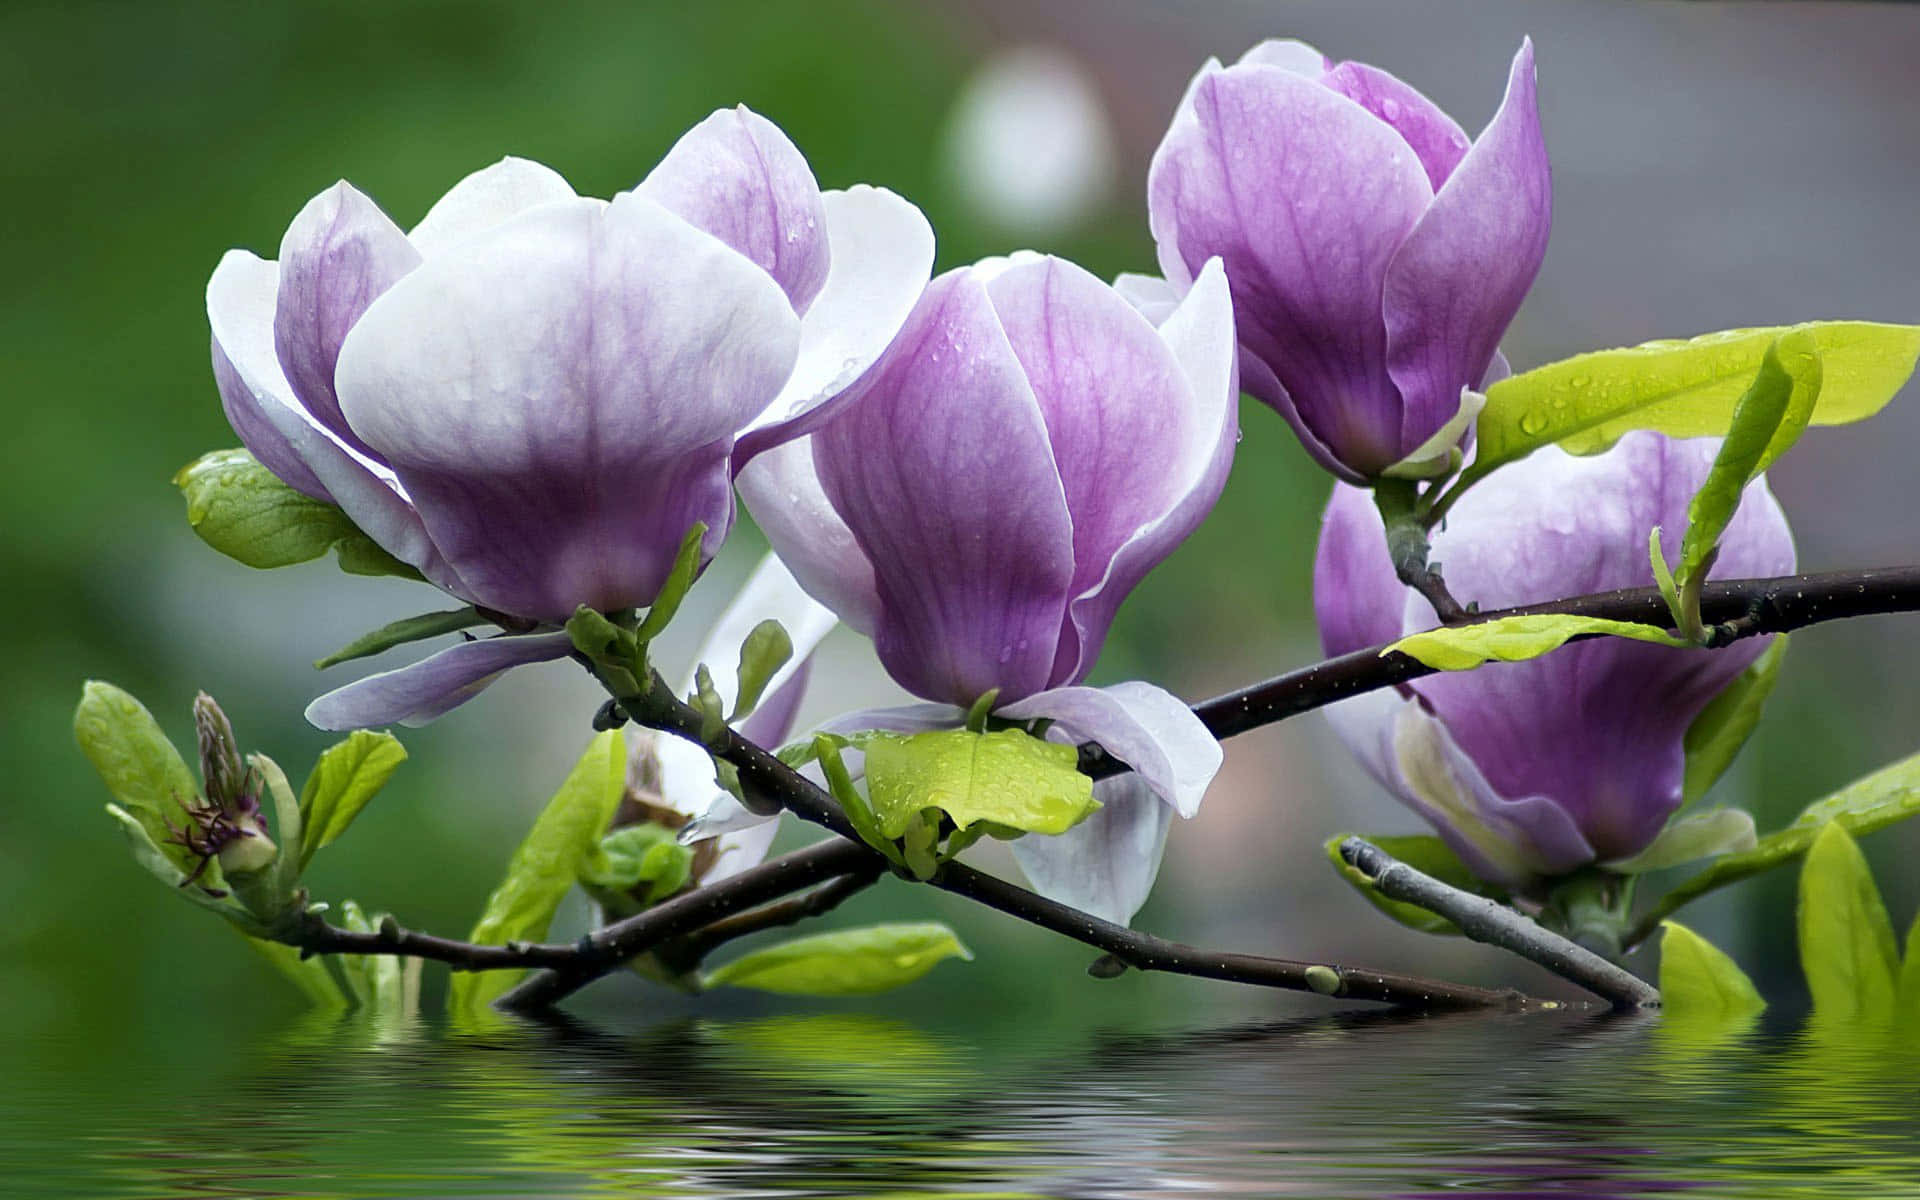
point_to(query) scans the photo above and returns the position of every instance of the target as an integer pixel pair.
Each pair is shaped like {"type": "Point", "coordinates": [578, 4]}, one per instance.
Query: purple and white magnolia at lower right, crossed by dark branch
{"type": "Point", "coordinates": [1537, 769]}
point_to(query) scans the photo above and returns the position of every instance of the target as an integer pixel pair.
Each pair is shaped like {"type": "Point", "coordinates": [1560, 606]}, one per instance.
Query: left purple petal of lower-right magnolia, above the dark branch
{"type": "Point", "coordinates": [1358, 600]}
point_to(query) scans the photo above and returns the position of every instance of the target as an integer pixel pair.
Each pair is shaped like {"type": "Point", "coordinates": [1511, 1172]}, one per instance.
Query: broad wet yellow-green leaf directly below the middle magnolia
{"type": "Point", "coordinates": [1009, 779]}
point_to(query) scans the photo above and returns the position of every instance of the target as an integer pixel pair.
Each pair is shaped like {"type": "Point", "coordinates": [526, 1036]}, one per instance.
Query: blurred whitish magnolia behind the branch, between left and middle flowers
{"type": "Point", "coordinates": [671, 780]}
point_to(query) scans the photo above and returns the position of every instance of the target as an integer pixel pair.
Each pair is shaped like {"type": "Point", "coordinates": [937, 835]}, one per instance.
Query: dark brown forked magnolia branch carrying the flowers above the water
{"type": "Point", "coordinates": [719, 913]}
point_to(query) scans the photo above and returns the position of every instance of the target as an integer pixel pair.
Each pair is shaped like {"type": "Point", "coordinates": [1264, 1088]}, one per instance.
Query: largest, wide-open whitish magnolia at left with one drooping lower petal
{"type": "Point", "coordinates": [533, 396]}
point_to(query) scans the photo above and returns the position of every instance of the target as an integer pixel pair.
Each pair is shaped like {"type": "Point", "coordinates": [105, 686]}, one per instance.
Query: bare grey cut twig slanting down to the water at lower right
{"type": "Point", "coordinates": [1499, 926]}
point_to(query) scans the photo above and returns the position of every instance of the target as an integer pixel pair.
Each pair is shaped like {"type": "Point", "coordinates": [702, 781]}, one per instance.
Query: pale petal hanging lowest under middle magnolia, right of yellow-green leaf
{"type": "Point", "coordinates": [1109, 863]}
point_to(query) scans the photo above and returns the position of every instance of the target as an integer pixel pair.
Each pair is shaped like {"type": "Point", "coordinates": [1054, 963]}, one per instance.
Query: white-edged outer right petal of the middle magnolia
{"type": "Point", "coordinates": [1195, 468]}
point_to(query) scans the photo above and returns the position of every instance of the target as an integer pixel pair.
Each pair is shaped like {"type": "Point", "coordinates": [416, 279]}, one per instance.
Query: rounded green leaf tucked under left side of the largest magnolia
{"type": "Point", "coordinates": [245, 512]}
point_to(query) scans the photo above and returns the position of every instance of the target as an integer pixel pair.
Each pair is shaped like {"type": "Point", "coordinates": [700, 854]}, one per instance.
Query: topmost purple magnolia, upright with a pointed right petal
{"type": "Point", "coordinates": [1376, 254]}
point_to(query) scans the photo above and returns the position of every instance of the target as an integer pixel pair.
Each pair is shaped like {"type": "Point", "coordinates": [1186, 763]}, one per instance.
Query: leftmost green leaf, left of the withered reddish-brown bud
{"type": "Point", "coordinates": [139, 767]}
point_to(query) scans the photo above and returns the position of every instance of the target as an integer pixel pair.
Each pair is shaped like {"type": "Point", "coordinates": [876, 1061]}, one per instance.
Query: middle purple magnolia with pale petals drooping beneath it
{"type": "Point", "coordinates": [992, 491]}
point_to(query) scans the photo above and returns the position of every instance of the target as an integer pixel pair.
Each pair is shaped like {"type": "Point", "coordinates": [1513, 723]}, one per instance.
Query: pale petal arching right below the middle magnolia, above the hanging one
{"type": "Point", "coordinates": [1143, 727]}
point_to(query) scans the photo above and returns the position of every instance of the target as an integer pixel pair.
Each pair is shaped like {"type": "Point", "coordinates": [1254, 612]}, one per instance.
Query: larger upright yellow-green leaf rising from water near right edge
{"type": "Point", "coordinates": [1846, 938]}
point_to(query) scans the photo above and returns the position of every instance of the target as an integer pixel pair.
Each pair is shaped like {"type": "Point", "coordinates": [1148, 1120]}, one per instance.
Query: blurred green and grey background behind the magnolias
{"type": "Point", "coordinates": [1716, 166]}
